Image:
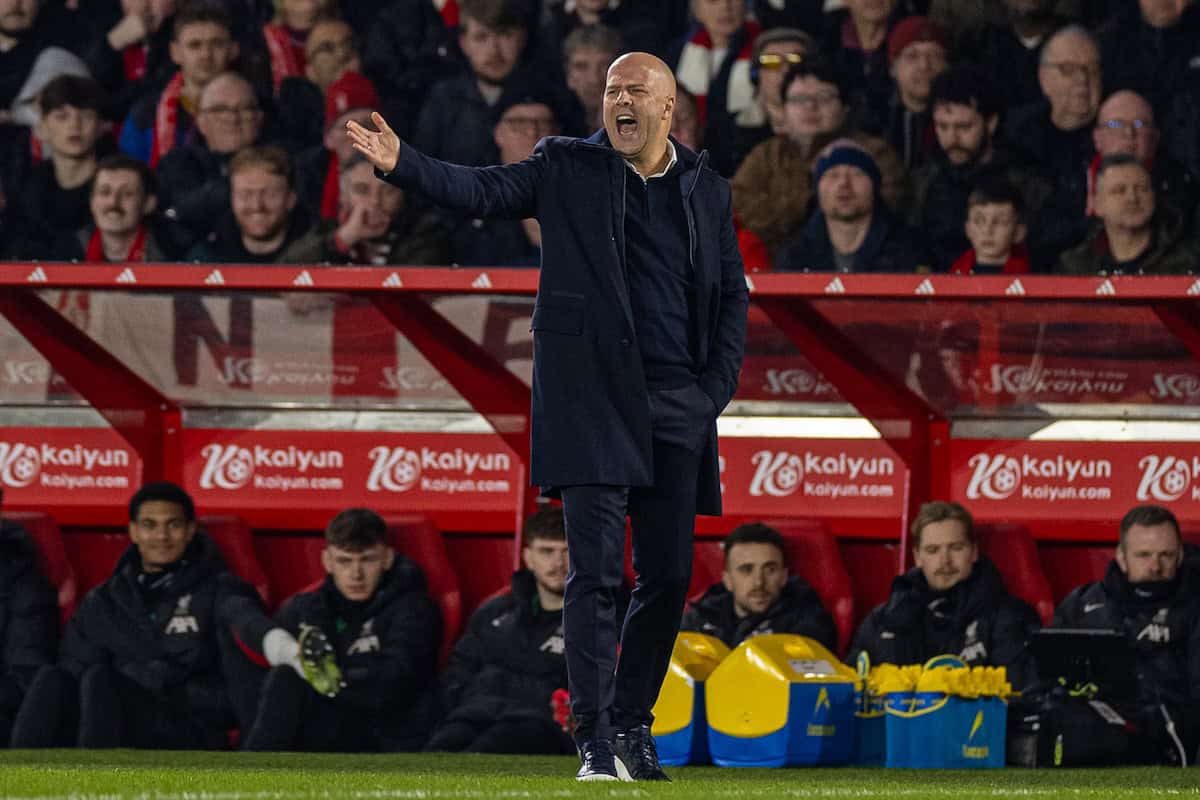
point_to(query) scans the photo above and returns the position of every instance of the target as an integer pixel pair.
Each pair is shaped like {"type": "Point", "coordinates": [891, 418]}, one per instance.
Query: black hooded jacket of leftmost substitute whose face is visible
{"type": "Point", "coordinates": [167, 631]}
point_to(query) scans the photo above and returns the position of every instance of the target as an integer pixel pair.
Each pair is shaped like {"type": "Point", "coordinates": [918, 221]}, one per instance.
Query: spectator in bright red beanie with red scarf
{"type": "Point", "coordinates": [319, 170]}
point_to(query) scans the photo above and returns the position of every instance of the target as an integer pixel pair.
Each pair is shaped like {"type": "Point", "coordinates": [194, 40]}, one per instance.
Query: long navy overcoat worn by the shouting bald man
{"type": "Point", "coordinates": [591, 410]}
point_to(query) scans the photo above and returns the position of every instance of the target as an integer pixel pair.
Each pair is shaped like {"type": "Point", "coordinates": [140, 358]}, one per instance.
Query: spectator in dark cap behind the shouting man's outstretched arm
{"type": "Point", "coordinates": [509, 243]}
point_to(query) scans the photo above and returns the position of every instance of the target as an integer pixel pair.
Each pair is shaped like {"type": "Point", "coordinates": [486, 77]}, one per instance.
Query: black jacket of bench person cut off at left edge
{"type": "Point", "coordinates": [29, 617]}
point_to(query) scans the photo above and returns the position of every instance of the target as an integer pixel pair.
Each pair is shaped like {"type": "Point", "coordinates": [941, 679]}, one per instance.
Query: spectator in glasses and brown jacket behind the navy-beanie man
{"type": "Point", "coordinates": [773, 189]}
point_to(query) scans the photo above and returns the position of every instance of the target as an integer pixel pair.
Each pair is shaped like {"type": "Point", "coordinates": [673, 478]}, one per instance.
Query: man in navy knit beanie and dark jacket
{"type": "Point", "coordinates": [853, 232]}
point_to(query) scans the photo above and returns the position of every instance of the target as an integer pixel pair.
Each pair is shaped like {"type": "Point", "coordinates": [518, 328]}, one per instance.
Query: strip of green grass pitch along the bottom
{"type": "Point", "coordinates": [142, 775]}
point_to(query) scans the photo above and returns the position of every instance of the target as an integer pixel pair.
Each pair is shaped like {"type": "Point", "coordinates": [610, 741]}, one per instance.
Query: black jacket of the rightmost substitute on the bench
{"type": "Point", "coordinates": [1161, 619]}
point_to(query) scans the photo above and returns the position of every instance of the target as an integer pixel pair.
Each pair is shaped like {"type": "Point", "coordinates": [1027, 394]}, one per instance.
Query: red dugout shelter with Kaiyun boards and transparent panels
{"type": "Point", "coordinates": [1055, 404]}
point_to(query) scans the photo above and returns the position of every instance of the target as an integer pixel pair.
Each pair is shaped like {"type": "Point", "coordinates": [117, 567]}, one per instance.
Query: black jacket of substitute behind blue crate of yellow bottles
{"type": "Point", "coordinates": [976, 621]}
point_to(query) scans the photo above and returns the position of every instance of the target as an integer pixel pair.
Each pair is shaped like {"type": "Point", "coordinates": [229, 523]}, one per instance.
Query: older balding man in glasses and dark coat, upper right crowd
{"type": "Point", "coordinates": [1055, 139]}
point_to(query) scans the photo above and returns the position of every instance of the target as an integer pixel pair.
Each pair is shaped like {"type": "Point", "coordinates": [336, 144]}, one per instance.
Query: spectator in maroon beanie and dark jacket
{"type": "Point", "coordinates": [917, 53]}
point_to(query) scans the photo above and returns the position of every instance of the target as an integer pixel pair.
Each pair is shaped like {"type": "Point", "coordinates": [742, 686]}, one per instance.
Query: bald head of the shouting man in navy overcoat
{"type": "Point", "coordinates": [639, 103]}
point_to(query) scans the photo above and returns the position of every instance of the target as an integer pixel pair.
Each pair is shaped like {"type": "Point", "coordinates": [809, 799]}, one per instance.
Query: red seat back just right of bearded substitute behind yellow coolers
{"type": "Point", "coordinates": [813, 555]}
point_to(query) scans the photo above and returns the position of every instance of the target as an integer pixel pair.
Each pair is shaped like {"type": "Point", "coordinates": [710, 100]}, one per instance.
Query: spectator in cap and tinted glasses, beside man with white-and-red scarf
{"type": "Point", "coordinates": [775, 52]}
